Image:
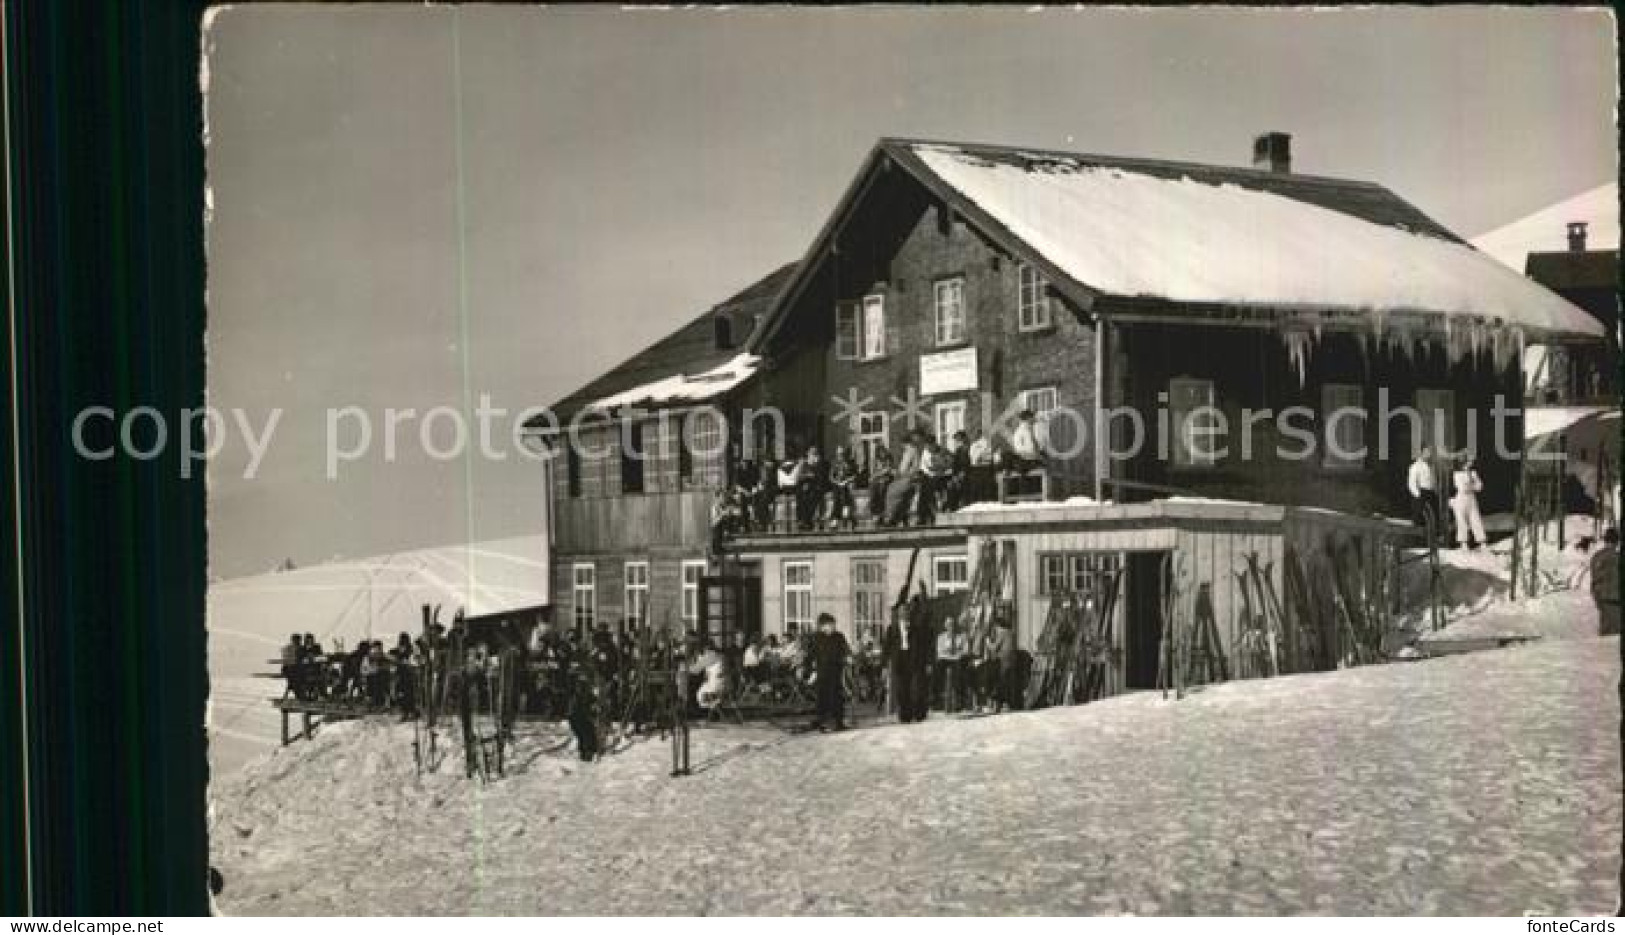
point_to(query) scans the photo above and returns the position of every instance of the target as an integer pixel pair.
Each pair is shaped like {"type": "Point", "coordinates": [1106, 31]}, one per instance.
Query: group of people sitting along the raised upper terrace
{"type": "Point", "coordinates": [927, 477]}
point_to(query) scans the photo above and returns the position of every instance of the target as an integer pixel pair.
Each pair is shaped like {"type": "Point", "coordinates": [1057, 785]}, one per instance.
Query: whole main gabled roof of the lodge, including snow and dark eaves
{"type": "Point", "coordinates": [1210, 238]}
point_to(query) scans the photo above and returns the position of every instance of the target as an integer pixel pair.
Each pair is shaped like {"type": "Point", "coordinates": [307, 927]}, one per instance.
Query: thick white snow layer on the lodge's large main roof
{"type": "Point", "coordinates": [1129, 233]}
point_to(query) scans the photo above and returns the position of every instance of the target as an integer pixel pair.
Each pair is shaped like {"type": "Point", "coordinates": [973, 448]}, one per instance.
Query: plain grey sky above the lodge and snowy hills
{"type": "Point", "coordinates": [414, 207]}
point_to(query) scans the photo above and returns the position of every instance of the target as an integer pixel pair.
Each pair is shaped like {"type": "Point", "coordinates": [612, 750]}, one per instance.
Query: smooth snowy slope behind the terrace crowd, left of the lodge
{"type": "Point", "coordinates": [249, 619]}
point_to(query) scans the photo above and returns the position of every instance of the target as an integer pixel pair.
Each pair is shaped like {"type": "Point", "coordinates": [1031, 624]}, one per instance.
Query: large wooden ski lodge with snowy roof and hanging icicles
{"type": "Point", "coordinates": [958, 284]}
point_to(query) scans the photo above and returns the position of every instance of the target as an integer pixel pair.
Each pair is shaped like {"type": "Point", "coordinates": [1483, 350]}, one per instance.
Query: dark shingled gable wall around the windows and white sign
{"type": "Point", "coordinates": [899, 246]}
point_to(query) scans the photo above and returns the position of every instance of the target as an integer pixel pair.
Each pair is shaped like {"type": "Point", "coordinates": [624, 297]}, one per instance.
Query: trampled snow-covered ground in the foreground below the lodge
{"type": "Point", "coordinates": [1473, 785]}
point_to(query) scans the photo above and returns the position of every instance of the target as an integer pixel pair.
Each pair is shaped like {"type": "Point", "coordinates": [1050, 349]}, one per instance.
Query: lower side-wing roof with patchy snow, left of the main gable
{"type": "Point", "coordinates": [687, 357]}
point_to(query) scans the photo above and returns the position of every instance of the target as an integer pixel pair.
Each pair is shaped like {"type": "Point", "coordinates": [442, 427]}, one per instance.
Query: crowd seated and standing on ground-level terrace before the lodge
{"type": "Point", "coordinates": [599, 679]}
